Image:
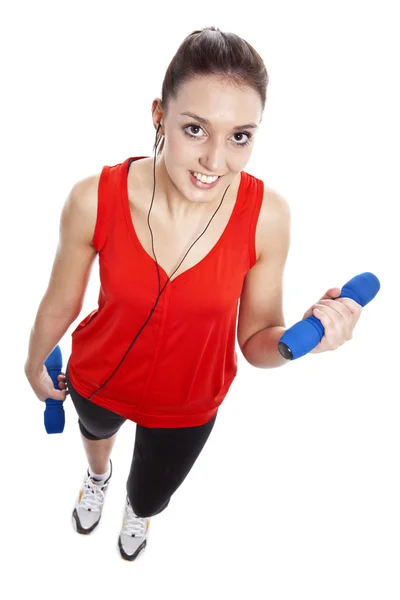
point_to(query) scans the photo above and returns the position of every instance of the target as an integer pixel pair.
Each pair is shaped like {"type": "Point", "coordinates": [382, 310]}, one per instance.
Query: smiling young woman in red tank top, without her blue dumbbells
{"type": "Point", "coordinates": [187, 242]}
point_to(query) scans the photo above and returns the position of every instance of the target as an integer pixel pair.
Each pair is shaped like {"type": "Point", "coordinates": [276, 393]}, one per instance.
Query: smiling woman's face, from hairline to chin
{"type": "Point", "coordinates": [221, 147]}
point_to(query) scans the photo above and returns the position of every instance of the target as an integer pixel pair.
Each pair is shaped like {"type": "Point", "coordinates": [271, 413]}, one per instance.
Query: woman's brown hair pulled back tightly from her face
{"type": "Point", "coordinates": [211, 51]}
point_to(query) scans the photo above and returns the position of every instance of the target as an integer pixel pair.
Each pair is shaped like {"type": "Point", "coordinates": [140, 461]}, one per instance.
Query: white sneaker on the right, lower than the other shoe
{"type": "Point", "coordinates": [133, 537]}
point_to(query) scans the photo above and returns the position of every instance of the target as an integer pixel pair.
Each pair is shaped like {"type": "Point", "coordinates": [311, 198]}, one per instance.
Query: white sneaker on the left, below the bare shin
{"type": "Point", "coordinates": [89, 505]}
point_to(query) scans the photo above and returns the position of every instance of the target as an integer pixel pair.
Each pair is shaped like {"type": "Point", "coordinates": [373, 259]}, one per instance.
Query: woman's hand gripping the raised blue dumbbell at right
{"type": "Point", "coordinates": [338, 316]}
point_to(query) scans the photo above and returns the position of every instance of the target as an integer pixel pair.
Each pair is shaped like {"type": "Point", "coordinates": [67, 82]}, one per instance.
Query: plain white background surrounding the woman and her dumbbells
{"type": "Point", "coordinates": [296, 493]}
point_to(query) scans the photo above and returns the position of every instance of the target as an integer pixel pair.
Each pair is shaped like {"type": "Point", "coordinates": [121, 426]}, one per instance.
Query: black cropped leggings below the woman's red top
{"type": "Point", "coordinates": [162, 457]}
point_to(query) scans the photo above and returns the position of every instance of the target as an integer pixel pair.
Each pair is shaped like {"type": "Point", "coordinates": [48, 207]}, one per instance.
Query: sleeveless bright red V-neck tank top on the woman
{"type": "Point", "coordinates": [183, 362]}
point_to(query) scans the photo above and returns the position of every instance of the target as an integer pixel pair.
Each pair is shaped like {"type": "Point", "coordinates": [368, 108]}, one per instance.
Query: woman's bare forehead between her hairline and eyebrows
{"type": "Point", "coordinates": [218, 98]}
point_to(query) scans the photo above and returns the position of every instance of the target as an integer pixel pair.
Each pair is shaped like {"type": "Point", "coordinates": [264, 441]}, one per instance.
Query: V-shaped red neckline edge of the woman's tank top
{"type": "Point", "coordinates": [132, 230]}
